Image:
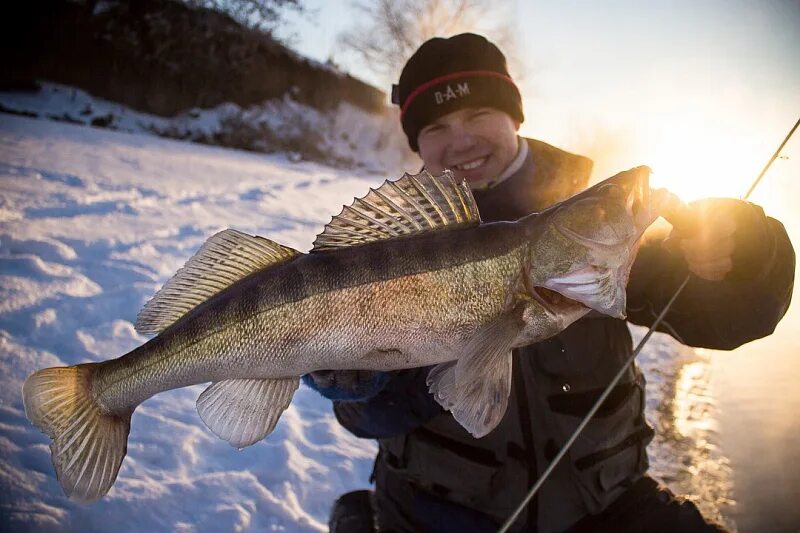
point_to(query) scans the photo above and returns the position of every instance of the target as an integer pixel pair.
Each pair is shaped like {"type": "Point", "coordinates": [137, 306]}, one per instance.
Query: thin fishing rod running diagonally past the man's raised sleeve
{"type": "Point", "coordinates": [627, 363]}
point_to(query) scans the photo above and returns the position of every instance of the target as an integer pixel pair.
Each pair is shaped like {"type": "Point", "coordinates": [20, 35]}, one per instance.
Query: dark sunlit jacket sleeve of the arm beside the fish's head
{"type": "Point", "coordinates": [723, 314]}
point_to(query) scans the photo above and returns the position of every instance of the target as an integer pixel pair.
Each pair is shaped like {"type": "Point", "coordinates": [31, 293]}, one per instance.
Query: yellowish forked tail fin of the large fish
{"type": "Point", "coordinates": [89, 443]}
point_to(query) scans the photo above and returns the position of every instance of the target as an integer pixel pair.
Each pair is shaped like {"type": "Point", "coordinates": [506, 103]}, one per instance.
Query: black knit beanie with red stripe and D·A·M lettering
{"type": "Point", "coordinates": [445, 75]}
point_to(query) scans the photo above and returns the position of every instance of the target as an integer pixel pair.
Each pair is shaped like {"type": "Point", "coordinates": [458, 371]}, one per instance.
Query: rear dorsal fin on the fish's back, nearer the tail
{"type": "Point", "coordinates": [224, 258]}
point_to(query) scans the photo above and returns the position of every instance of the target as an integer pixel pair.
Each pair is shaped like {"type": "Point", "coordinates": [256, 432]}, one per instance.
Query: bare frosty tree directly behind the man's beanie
{"type": "Point", "coordinates": [394, 29]}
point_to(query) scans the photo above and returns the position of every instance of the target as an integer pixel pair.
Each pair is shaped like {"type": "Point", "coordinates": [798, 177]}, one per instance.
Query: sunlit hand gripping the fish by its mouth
{"type": "Point", "coordinates": [719, 238]}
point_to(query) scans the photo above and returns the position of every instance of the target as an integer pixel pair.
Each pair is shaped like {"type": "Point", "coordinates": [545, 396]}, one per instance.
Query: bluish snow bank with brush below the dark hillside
{"type": "Point", "coordinates": [346, 136]}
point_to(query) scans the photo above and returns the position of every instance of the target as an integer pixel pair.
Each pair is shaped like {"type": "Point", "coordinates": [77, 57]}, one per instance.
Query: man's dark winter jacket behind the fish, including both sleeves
{"type": "Point", "coordinates": [431, 475]}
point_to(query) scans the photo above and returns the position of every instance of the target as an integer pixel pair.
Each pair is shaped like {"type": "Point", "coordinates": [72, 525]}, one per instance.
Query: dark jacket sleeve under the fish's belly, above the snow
{"type": "Point", "coordinates": [401, 406]}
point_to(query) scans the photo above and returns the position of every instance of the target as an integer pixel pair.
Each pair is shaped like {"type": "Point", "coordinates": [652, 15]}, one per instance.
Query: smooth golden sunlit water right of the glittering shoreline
{"type": "Point", "coordinates": [759, 402]}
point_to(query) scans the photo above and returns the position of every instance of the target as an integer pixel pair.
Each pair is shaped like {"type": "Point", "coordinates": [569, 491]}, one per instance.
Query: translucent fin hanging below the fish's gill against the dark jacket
{"type": "Point", "coordinates": [476, 387]}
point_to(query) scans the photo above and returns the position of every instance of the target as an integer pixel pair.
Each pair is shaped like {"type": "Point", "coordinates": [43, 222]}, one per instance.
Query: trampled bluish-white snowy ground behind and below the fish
{"type": "Point", "coordinates": [92, 222]}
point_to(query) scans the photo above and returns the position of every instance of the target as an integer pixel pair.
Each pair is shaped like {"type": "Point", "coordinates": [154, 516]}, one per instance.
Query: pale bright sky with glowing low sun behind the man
{"type": "Point", "coordinates": [702, 91]}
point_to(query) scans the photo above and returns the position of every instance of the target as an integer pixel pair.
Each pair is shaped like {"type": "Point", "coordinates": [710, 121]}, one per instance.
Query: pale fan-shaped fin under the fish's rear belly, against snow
{"type": "Point", "coordinates": [244, 411]}
